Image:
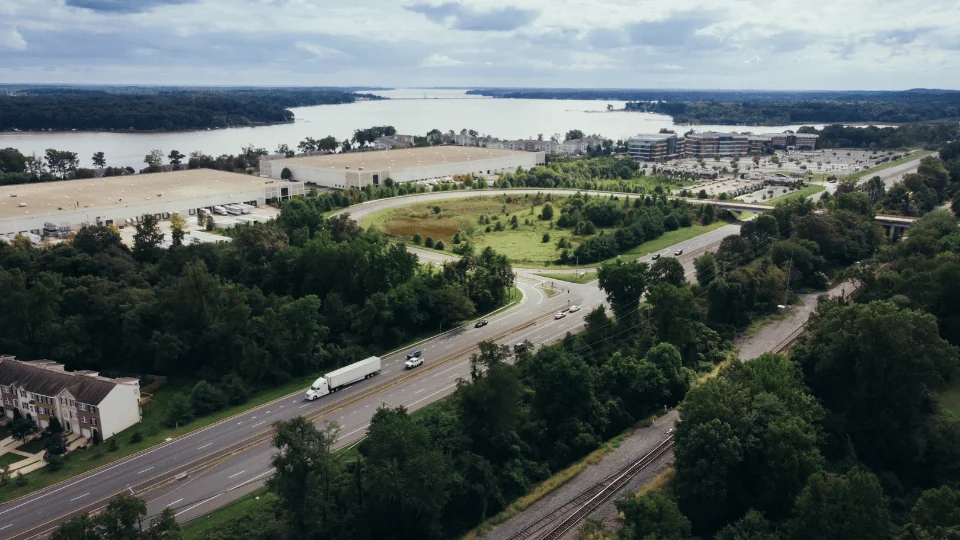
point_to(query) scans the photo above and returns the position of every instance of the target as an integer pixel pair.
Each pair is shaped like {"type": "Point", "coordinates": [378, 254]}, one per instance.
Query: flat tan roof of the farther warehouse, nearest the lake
{"type": "Point", "coordinates": [402, 158]}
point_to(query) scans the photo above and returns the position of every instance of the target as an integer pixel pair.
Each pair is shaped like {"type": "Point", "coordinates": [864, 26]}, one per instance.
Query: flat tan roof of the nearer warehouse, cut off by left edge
{"type": "Point", "coordinates": [98, 193]}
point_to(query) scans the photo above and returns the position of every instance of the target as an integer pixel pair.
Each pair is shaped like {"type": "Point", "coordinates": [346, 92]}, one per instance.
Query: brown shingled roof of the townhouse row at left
{"type": "Point", "coordinates": [50, 380]}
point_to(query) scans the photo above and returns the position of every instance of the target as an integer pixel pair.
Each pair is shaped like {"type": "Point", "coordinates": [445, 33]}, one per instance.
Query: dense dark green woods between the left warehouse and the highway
{"type": "Point", "coordinates": [283, 300]}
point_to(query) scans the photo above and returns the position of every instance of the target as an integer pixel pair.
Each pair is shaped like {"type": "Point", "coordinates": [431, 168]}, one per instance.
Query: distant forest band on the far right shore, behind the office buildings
{"type": "Point", "coordinates": [779, 113]}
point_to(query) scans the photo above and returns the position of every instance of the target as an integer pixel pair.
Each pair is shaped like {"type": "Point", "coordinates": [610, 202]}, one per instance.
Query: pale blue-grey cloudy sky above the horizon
{"type": "Point", "coordinates": [821, 44]}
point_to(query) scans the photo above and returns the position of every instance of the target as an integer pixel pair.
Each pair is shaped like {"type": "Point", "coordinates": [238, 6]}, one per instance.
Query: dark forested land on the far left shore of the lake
{"type": "Point", "coordinates": [164, 110]}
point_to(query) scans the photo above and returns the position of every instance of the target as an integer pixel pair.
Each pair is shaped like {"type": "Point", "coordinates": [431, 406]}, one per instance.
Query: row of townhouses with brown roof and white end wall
{"type": "Point", "coordinates": [82, 401]}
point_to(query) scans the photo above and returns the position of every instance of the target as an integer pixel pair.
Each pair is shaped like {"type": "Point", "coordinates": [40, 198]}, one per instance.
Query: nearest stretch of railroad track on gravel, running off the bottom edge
{"type": "Point", "coordinates": [557, 523]}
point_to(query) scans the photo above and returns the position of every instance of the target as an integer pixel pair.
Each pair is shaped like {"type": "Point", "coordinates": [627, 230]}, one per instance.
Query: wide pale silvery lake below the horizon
{"type": "Point", "coordinates": [411, 111]}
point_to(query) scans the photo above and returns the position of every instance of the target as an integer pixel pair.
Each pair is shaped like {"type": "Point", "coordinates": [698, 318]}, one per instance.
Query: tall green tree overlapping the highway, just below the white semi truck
{"type": "Point", "coordinates": [307, 481]}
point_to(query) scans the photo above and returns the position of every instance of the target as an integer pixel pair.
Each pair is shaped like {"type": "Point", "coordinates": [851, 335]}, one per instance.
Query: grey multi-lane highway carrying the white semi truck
{"type": "Point", "coordinates": [198, 472]}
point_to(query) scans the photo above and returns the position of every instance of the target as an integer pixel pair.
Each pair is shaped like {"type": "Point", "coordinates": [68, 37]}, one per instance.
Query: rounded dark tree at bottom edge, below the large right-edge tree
{"type": "Point", "coordinates": [847, 507]}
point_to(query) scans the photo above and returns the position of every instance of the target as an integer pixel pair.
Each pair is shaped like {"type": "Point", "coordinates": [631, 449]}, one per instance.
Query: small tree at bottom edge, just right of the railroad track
{"type": "Point", "coordinates": [652, 516]}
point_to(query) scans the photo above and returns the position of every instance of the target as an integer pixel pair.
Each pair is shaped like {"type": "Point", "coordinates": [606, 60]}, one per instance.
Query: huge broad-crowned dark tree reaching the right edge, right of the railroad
{"type": "Point", "coordinates": [876, 368]}
